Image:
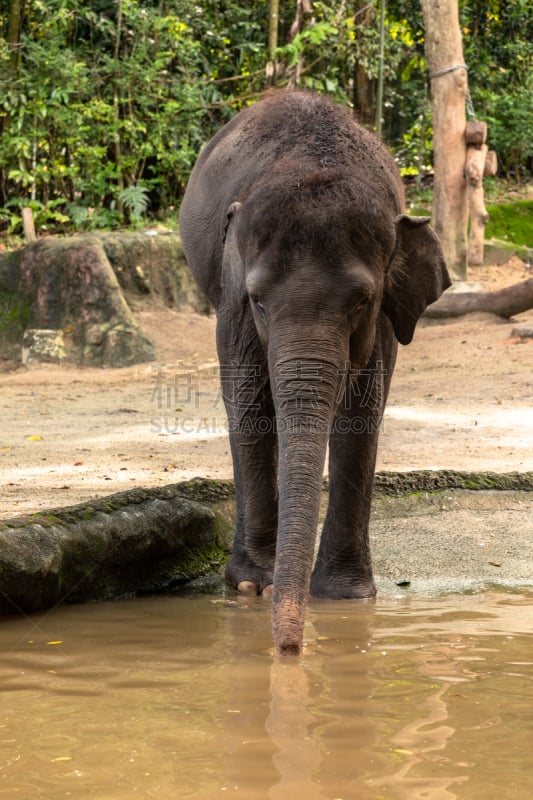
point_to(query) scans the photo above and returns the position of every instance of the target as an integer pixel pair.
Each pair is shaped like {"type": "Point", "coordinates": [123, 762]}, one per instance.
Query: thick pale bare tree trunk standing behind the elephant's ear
{"type": "Point", "coordinates": [444, 52]}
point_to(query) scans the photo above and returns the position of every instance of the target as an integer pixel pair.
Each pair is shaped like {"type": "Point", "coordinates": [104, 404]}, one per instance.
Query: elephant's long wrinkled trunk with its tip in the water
{"type": "Point", "coordinates": [306, 391]}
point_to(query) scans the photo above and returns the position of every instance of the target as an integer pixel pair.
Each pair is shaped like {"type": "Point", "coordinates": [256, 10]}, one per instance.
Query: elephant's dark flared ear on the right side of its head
{"type": "Point", "coordinates": [417, 275]}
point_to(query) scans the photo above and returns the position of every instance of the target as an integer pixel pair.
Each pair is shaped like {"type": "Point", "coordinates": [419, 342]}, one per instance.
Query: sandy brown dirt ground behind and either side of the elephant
{"type": "Point", "coordinates": [461, 398]}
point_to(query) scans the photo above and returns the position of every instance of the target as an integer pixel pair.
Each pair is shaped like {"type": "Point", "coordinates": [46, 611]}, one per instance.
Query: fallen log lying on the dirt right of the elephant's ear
{"type": "Point", "coordinates": [505, 302]}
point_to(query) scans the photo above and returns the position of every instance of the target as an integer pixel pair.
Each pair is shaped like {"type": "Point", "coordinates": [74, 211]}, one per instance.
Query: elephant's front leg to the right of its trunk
{"type": "Point", "coordinates": [343, 568]}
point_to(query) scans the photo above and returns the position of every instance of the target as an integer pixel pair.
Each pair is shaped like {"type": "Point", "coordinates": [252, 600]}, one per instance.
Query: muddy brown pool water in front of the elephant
{"type": "Point", "coordinates": [413, 697]}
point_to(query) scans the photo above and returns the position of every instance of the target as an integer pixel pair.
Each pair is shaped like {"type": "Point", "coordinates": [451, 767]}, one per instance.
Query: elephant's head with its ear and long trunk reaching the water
{"type": "Point", "coordinates": [326, 261]}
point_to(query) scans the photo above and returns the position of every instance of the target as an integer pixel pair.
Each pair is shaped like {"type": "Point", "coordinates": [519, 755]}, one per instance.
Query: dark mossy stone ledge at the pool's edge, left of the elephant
{"type": "Point", "coordinates": [135, 541]}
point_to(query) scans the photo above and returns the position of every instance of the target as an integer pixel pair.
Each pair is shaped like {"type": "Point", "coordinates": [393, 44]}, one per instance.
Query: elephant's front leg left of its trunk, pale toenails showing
{"type": "Point", "coordinates": [253, 439]}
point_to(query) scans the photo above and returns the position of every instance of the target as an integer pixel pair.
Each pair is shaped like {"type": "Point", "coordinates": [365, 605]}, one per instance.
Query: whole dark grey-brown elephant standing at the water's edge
{"type": "Point", "coordinates": [292, 224]}
